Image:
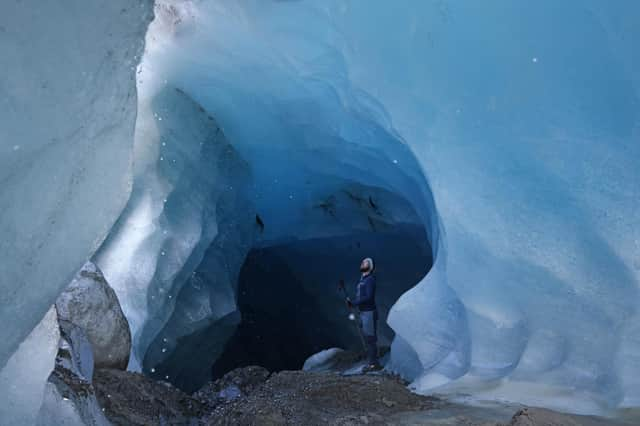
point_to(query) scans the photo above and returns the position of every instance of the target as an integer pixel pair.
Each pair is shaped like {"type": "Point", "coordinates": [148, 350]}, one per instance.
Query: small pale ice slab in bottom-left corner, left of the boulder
{"type": "Point", "coordinates": [24, 377]}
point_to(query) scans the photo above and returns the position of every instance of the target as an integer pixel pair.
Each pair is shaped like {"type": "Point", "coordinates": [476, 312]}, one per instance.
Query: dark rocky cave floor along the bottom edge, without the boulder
{"type": "Point", "coordinates": [252, 396]}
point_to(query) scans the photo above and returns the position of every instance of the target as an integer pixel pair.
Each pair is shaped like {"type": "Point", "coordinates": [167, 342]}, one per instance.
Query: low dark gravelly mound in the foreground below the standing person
{"type": "Point", "coordinates": [297, 397]}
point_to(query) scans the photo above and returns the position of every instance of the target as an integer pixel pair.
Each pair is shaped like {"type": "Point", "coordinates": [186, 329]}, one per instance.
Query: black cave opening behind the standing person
{"type": "Point", "coordinates": [289, 301]}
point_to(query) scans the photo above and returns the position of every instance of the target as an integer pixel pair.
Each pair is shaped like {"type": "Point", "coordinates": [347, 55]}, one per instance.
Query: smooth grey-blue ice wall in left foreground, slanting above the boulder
{"type": "Point", "coordinates": [67, 112]}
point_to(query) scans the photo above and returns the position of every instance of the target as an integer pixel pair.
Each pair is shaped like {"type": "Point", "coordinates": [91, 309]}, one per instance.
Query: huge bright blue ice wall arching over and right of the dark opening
{"type": "Point", "coordinates": [524, 117]}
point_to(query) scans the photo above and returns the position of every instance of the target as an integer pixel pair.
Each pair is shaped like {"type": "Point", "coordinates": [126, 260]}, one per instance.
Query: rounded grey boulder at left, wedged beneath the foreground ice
{"type": "Point", "coordinates": [91, 304]}
